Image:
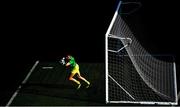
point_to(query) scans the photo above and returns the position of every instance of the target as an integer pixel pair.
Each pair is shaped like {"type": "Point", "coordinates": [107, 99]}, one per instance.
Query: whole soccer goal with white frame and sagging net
{"type": "Point", "coordinates": [132, 74]}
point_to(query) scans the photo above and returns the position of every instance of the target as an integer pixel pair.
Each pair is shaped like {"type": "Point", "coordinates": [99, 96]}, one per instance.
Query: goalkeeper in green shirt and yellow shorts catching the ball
{"type": "Point", "coordinates": [69, 61]}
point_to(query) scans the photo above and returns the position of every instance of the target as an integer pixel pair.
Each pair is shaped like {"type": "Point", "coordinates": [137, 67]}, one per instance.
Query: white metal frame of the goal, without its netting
{"type": "Point", "coordinates": [107, 74]}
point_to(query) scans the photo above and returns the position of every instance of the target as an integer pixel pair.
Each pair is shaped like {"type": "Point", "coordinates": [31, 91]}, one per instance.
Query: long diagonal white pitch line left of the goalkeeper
{"type": "Point", "coordinates": [24, 81]}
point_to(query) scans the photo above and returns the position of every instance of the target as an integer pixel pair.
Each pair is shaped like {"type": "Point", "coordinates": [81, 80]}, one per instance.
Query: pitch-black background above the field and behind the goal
{"type": "Point", "coordinates": [46, 31]}
